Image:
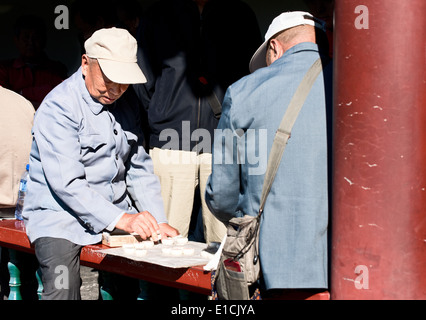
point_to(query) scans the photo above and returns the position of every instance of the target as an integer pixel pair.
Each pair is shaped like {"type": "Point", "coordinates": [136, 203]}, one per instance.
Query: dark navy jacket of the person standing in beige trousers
{"type": "Point", "coordinates": [181, 51]}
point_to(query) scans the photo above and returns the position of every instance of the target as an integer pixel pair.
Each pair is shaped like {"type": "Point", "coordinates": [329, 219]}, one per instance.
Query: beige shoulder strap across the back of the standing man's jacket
{"type": "Point", "coordinates": [284, 131]}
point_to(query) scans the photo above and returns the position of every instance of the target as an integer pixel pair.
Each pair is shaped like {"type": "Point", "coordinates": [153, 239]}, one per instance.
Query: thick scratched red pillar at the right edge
{"type": "Point", "coordinates": [379, 205]}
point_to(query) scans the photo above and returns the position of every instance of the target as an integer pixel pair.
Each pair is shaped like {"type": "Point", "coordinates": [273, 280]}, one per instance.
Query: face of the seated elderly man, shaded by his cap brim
{"type": "Point", "coordinates": [98, 85]}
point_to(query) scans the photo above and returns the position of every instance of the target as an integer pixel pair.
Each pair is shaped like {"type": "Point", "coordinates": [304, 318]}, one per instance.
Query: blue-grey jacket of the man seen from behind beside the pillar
{"type": "Point", "coordinates": [293, 235]}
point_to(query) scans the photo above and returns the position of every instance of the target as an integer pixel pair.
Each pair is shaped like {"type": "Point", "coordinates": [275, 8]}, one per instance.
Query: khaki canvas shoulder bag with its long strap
{"type": "Point", "coordinates": [239, 265]}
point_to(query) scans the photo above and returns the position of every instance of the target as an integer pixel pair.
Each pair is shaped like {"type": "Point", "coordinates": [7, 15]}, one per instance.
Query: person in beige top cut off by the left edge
{"type": "Point", "coordinates": [16, 120]}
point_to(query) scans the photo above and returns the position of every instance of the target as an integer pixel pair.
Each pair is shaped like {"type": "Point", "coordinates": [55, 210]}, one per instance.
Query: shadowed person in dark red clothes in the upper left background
{"type": "Point", "coordinates": [33, 74]}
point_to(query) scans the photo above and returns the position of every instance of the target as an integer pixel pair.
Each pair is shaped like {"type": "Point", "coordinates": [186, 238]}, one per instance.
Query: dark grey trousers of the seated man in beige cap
{"type": "Point", "coordinates": [59, 261]}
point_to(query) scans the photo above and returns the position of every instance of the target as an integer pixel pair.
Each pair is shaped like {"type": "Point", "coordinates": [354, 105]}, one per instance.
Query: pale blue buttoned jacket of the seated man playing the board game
{"type": "Point", "coordinates": [87, 166]}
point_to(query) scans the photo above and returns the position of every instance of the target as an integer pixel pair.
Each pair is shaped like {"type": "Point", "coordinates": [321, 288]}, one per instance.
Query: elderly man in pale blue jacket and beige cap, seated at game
{"type": "Point", "coordinates": [89, 172]}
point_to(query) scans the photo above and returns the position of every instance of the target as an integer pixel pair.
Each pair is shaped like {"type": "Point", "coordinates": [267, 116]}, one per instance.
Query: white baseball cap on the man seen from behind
{"type": "Point", "coordinates": [284, 21]}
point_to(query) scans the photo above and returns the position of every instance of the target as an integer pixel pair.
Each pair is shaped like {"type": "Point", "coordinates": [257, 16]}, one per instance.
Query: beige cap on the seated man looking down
{"type": "Point", "coordinates": [116, 50]}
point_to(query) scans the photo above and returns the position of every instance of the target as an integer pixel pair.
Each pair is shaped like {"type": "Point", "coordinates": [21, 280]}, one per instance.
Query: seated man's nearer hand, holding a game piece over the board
{"type": "Point", "coordinates": [142, 223]}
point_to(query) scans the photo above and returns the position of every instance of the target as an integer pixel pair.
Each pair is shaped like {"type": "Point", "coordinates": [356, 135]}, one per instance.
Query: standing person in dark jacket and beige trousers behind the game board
{"type": "Point", "coordinates": [186, 47]}
